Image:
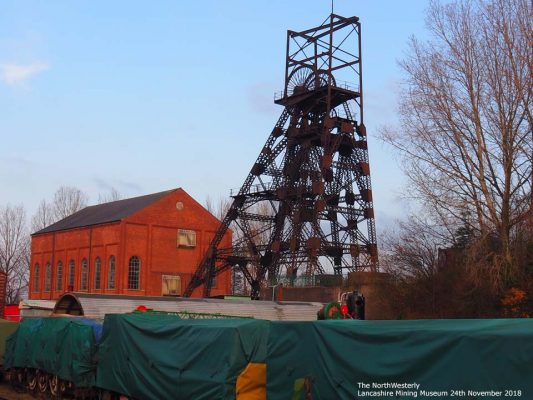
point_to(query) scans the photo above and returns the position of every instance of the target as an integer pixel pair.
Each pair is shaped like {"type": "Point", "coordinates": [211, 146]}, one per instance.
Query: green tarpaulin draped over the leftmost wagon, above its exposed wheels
{"type": "Point", "coordinates": [59, 346]}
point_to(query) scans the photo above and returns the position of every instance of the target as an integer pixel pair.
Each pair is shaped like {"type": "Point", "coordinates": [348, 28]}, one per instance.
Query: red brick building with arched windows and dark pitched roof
{"type": "Point", "coordinates": [146, 246]}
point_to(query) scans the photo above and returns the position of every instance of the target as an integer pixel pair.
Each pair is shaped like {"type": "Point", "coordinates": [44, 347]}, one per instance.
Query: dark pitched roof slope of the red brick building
{"type": "Point", "coordinates": [104, 213]}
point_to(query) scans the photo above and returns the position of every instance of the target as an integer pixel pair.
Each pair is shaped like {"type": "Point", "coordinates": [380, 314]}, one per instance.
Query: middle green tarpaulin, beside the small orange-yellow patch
{"type": "Point", "coordinates": [151, 356]}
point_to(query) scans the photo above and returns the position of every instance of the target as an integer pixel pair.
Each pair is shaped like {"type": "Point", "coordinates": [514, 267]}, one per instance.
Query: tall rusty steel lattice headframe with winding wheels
{"type": "Point", "coordinates": [306, 206]}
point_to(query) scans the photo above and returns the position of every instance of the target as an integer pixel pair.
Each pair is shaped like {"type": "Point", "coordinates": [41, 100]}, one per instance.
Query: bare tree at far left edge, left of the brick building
{"type": "Point", "coordinates": [14, 250]}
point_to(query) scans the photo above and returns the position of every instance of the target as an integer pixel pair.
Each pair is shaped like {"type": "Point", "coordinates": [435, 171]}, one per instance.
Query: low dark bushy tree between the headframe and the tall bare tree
{"type": "Point", "coordinates": [428, 274]}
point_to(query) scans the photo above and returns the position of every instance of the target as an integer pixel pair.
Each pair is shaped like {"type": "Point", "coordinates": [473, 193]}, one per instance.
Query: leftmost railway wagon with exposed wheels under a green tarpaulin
{"type": "Point", "coordinates": [54, 356]}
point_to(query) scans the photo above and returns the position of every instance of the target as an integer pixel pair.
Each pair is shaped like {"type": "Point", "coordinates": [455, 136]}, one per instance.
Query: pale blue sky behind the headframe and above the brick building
{"type": "Point", "coordinates": [147, 96]}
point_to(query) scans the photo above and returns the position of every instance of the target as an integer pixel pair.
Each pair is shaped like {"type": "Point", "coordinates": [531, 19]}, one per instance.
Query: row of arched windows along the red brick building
{"type": "Point", "coordinates": [134, 269]}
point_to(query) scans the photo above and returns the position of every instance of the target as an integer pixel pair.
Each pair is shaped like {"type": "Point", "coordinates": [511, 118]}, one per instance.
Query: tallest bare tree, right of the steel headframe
{"type": "Point", "coordinates": [466, 122]}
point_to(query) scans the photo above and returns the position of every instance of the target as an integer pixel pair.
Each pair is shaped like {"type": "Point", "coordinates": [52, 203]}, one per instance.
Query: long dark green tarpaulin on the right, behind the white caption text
{"type": "Point", "coordinates": [357, 359]}
